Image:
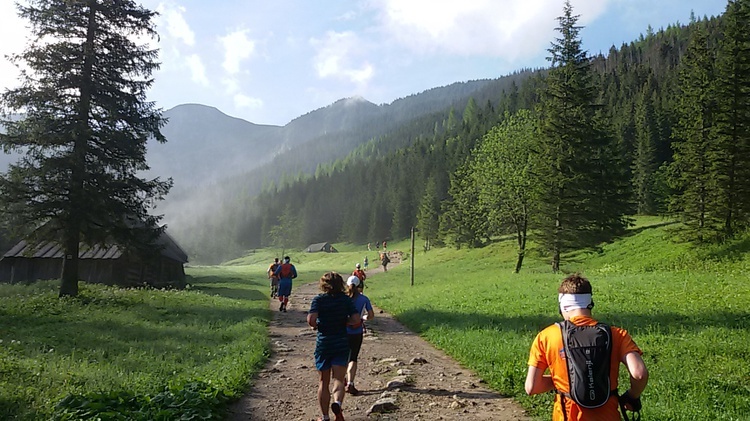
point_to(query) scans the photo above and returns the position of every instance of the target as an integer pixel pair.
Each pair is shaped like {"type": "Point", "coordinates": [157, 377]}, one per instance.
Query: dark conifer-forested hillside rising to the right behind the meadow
{"type": "Point", "coordinates": [635, 148]}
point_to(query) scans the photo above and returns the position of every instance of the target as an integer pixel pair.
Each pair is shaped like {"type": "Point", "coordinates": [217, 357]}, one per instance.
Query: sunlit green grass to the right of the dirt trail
{"type": "Point", "coordinates": [687, 309]}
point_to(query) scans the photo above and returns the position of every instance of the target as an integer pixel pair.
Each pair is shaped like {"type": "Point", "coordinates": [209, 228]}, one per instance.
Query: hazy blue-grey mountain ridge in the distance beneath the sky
{"type": "Point", "coordinates": [205, 145]}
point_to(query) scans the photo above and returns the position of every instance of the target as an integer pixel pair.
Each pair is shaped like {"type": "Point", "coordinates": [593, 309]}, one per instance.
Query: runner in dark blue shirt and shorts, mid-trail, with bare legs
{"type": "Point", "coordinates": [330, 313]}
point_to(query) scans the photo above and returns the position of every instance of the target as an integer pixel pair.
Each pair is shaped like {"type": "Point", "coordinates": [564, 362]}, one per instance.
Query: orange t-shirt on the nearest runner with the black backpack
{"type": "Point", "coordinates": [547, 352]}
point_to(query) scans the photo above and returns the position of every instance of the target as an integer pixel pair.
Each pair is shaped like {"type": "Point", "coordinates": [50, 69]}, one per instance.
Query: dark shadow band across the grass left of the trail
{"type": "Point", "coordinates": [178, 330]}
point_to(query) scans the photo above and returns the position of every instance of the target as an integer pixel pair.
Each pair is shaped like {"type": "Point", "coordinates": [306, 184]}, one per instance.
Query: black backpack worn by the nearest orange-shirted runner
{"type": "Point", "coordinates": [588, 352]}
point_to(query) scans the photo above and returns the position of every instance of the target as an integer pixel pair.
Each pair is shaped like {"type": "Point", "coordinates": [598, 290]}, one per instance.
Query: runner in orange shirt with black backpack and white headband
{"type": "Point", "coordinates": [590, 390]}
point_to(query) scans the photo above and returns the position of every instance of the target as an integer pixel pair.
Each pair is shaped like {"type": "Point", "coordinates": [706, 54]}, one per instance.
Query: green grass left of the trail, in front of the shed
{"type": "Point", "coordinates": [129, 341]}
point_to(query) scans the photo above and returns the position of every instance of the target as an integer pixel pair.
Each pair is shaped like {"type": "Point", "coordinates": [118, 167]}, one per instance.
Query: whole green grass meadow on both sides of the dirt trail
{"type": "Point", "coordinates": [131, 353]}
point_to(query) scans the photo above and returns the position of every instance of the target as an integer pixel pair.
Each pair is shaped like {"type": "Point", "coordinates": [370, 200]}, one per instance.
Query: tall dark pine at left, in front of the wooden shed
{"type": "Point", "coordinates": [85, 127]}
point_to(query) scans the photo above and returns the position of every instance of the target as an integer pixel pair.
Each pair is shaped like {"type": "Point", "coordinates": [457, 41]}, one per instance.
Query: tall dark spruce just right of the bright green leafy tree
{"type": "Point", "coordinates": [581, 178]}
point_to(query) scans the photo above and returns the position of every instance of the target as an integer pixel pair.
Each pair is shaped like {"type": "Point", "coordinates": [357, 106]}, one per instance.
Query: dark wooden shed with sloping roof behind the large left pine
{"type": "Point", "coordinates": [108, 264]}
